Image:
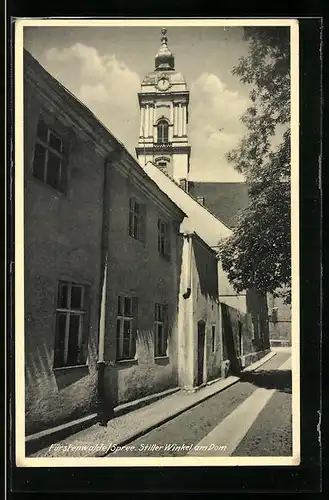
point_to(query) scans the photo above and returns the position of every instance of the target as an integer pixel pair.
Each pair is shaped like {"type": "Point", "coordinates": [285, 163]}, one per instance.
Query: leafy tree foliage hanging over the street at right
{"type": "Point", "coordinates": [258, 253]}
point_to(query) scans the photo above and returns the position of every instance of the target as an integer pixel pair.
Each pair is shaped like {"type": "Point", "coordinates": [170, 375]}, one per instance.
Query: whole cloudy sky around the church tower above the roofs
{"type": "Point", "coordinates": [104, 66]}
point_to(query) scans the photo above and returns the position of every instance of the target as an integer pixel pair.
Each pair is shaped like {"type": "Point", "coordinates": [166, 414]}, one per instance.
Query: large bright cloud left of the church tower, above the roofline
{"type": "Point", "coordinates": [104, 84]}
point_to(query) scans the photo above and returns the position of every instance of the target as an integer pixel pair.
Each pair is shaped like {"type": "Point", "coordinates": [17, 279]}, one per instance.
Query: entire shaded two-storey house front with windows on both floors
{"type": "Point", "coordinates": [89, 205]}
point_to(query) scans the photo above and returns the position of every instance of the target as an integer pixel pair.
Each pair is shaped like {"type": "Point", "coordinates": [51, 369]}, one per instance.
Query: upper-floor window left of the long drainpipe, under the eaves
{"type": "Point", "coordinates": [49, 163]}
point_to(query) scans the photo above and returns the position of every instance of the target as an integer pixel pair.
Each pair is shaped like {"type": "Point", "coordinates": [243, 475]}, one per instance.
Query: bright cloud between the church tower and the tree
{"type": "Point", "coordinates": [214, 127]}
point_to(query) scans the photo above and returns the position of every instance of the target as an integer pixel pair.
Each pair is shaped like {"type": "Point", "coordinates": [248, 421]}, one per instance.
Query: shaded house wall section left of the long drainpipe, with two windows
{"type": "Point", "coordinates": [63, 183]}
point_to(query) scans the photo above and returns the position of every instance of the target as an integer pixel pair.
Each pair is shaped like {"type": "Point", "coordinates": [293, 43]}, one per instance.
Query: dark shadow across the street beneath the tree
{"type": "Point", "coordinates": [269, 379]}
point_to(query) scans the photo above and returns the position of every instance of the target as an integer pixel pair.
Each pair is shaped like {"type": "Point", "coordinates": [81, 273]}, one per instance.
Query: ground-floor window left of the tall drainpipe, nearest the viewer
{"type": "Point", "coordinates": [71, 325]}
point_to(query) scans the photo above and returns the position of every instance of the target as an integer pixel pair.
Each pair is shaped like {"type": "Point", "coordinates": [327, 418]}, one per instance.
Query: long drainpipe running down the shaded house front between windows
{"type": "Point", "coordinates": [104, 407]}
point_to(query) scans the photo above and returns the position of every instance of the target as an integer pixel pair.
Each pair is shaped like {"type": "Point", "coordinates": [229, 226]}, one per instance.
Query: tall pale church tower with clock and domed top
{"type": "Point", "coordinates": [163, 102]}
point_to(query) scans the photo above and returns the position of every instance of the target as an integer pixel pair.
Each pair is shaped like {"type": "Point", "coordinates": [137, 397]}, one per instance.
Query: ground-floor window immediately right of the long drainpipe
{"type": "Point", "coordinates": [126, 327]}
